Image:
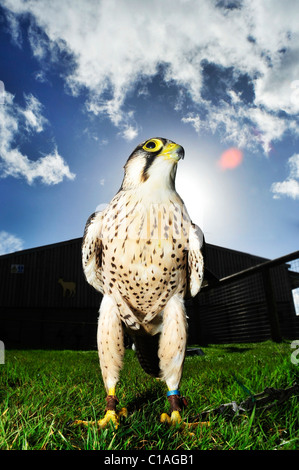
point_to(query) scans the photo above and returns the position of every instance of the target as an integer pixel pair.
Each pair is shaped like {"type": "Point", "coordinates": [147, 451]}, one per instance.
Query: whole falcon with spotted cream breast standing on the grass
{"type": "Point", "coordinates": [144, 255]}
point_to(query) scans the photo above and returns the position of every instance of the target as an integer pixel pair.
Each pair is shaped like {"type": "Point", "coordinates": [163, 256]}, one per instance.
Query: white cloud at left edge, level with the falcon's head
{"type": "Point", "coordinates": [14, 122]}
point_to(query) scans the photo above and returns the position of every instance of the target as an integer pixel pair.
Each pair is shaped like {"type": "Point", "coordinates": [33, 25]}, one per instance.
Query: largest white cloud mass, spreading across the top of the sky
{"type": "Point", "coordinates": [116, 46]}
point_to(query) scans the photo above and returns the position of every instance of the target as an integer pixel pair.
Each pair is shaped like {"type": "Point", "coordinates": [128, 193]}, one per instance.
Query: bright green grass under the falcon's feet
{"type": "Point", "coordinates": [42, 391]}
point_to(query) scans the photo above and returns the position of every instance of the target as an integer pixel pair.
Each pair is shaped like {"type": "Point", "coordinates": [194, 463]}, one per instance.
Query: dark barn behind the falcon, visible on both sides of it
{"type": "Point", "coordinates": [46, 303]}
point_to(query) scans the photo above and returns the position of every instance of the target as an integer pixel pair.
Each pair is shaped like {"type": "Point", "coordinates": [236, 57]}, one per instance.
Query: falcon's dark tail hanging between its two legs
{"type": "Point", "coordinates": [147, 353]}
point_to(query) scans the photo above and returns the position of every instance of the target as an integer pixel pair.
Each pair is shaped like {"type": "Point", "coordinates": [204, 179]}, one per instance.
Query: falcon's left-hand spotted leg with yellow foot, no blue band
{"type": "Point", "coordinates": [111, 352]}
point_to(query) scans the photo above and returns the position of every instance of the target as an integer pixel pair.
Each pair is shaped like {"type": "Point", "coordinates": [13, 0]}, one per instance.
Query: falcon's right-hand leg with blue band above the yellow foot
{"type": "Point", "coordinates": [172, 350]}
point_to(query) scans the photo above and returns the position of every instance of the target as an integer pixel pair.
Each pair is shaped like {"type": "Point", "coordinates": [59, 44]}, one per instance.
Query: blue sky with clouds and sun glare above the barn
{"type": "Point", "coordinates": [84, 82]}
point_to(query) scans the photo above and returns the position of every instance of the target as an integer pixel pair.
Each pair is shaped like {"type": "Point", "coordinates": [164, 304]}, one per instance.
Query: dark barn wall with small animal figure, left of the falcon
{"type": "Point", "coordinates": [36, 309]}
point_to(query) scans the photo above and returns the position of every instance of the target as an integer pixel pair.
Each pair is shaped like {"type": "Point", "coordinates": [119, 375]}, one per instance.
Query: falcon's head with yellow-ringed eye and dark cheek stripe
{"type": "Point", "coordinates": [153, 161]}
